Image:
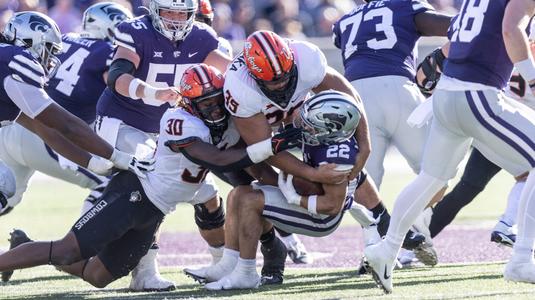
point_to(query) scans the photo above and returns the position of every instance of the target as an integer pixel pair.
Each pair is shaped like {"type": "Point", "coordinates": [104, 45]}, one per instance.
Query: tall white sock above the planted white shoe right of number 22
{"type": "Point", "coordinates": [408, 206]}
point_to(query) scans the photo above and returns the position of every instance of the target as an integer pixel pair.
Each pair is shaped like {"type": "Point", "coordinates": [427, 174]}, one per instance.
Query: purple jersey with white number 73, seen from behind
{"type": "Point", "coordinates": [379, 38]}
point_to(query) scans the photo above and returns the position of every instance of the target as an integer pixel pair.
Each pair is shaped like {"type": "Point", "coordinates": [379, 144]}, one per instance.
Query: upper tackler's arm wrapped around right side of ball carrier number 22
{"type": "Point", "coordinates": [335, 81]}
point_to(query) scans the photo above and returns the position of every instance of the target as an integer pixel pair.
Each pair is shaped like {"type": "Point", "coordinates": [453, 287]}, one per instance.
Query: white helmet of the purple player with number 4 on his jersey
{"type": "Point", "coordinates": [100, 20]}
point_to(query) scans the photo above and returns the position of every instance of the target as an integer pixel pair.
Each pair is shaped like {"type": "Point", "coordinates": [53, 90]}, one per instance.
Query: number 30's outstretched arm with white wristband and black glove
{"type": "Point", "coordinates": [210, 157]}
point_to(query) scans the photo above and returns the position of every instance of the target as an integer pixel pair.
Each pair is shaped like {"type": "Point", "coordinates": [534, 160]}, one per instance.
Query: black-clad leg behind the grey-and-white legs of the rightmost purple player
{"type": "Point", "coordinates": [477, 174]}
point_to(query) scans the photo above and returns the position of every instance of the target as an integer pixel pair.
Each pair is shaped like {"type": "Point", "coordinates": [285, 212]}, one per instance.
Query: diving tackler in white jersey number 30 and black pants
{"type": "Point", "coordinates": [110, 239]}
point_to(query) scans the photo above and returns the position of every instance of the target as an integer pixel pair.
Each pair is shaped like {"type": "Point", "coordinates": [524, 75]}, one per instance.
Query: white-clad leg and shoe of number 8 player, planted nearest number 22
{"type": "Point", "coordinates": [436, 170]}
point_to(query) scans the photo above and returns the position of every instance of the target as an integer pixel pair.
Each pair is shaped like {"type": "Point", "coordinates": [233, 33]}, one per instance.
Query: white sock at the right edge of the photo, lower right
{"type": "Point", "coordinates": [523, 248]}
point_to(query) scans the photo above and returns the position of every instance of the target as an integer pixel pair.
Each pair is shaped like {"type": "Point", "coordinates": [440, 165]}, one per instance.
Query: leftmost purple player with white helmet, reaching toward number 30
{"type": "Point", "coordinates": [30, 42]}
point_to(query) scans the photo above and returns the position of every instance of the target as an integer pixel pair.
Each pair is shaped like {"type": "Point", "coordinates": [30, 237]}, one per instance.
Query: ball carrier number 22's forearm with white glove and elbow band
{"type": "Point", "coordinates": [330, 203]}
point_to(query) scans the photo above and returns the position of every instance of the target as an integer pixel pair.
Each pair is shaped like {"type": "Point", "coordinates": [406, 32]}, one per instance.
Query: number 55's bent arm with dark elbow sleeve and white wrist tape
{"type": "Point", "coordinates": [121, 80]}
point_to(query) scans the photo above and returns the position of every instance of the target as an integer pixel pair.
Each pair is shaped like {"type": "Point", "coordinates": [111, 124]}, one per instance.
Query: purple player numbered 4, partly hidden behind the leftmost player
{"type": "Point", "coordinates": [76, 86]}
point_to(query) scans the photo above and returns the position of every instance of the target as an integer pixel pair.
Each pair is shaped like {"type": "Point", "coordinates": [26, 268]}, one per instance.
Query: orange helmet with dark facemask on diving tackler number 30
{"type": "Point", "coordinates": [201, 88]}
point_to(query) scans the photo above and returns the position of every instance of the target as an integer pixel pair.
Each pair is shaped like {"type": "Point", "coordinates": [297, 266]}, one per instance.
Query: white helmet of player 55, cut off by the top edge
{"type": "Point", "coordinates": [173, 29]}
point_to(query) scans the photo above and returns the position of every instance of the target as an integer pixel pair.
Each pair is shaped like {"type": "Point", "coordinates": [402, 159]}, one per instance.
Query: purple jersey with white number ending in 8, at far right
{"type": "Point", "coordinates": [477, 52]}
